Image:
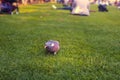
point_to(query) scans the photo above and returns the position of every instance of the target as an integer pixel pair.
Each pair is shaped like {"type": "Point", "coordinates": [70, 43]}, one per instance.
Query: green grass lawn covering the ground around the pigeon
{"type": "Point", "coordinates": [90, 46]}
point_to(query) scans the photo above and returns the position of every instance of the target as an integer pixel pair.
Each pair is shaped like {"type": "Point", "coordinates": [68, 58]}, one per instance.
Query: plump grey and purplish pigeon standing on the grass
{"type": "Point", "coordinates": [52, 46]}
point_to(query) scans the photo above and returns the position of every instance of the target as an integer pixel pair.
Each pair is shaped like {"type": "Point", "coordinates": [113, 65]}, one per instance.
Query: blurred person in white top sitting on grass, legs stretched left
{"type": "Point", "coordinates": [76, 7]}
